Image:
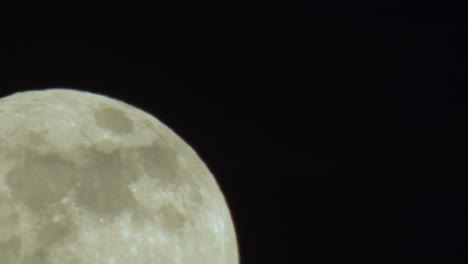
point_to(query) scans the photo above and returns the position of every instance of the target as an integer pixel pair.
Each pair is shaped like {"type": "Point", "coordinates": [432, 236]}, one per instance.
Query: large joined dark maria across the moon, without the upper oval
{"type": "Point", "coordinates": [40, 182]}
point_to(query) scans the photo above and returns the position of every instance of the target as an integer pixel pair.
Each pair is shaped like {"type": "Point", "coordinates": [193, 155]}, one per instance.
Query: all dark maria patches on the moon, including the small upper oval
{"type": "Point", "coordinates": [41, 181]}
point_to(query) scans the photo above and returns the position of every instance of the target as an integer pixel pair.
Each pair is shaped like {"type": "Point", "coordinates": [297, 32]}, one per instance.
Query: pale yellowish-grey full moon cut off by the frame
{"type": "Point", "coordinates": [88, 179]}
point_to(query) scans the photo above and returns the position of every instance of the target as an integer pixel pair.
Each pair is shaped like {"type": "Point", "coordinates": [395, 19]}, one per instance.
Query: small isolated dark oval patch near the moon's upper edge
{"type": "Point", "coordinates": [114, 120]}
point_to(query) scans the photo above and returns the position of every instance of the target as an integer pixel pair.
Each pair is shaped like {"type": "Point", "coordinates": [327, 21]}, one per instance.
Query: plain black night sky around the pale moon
{"type": "Point", "coordinates": [336, 131]}
